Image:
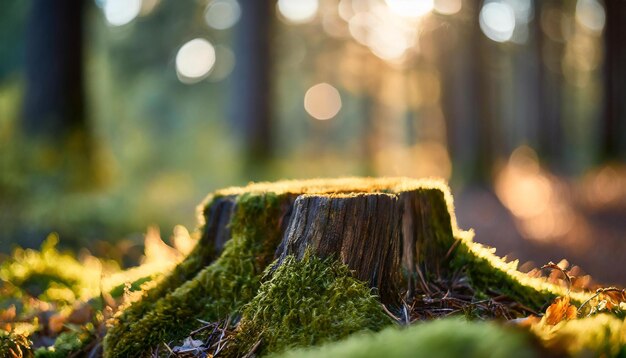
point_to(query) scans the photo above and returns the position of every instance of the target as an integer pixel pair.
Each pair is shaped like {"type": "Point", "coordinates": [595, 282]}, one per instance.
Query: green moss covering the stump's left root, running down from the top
{"type": "Point", "coordinates": [216, 291]}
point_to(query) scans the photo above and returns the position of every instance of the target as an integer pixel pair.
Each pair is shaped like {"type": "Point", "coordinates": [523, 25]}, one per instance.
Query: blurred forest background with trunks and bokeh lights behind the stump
{"type": "Point", "coordinates": [119, 114]}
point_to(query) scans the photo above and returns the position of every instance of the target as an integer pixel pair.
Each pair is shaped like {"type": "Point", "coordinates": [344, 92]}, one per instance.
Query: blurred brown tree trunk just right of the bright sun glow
{"type": "Point", "coordinates": [467, 98]}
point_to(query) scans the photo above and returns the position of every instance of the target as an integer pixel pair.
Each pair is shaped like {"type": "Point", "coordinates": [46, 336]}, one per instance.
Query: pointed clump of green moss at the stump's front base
{"type": "Point", "coordinates": [307, 302]}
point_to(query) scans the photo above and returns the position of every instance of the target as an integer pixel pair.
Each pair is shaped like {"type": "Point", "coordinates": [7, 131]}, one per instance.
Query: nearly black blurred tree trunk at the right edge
{"type": "Point", "coordinates": [614, 131]}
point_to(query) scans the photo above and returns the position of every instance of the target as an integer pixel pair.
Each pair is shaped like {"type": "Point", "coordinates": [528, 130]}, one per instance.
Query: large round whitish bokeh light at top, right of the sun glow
{"type": "Point", "coordinates": [497, 21]}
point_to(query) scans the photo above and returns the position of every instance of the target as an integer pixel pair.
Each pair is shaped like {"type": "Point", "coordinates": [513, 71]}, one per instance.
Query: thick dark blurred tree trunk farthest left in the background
{"type": "Point", "coordinates": [54, 99]}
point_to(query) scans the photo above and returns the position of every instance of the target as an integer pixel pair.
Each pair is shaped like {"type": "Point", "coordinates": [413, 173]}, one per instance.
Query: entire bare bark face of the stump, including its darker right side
{"type": "Point", "coordinates": [388, 240]}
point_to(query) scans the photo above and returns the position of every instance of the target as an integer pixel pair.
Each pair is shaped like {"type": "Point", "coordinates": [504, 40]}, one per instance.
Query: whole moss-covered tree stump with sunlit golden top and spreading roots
{"type": "Point", "coordinates": [344, 235]}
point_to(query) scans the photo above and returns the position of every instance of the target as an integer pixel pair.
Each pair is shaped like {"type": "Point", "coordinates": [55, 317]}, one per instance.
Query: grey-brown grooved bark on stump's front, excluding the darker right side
{"type": "Point", "coordinates": [363, 231]}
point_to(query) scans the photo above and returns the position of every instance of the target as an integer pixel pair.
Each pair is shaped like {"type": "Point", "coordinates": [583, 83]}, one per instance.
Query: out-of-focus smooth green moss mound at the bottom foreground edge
{"type": "Point", "coordinates": [442, 338]}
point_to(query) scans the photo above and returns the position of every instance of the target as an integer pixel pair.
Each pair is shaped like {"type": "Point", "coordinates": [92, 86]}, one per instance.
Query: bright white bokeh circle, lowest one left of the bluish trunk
{"type": "Point", "coordinates": [195, 60]}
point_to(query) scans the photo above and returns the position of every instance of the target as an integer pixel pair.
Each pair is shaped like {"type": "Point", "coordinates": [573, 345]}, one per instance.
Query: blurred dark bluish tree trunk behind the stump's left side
{"type": "Point", "coordinates": [251, 98]}
